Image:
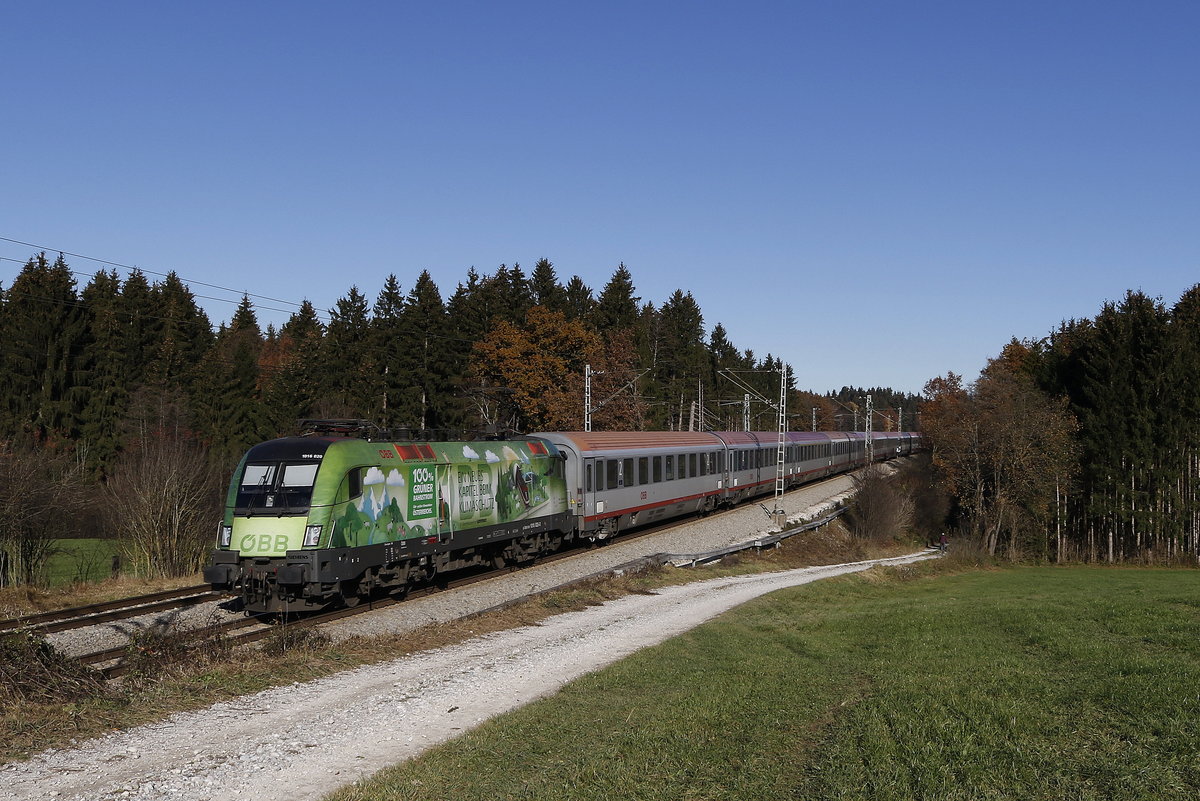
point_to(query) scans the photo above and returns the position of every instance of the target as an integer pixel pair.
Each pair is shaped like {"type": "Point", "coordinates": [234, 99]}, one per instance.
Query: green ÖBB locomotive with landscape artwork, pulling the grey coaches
{"type": "Point", "coordinates": [310, 521]}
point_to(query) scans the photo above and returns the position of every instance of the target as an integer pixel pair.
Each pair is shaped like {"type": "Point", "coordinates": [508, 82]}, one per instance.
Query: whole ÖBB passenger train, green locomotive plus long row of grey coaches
{"type": "Point", "coordinates": [337, 516]}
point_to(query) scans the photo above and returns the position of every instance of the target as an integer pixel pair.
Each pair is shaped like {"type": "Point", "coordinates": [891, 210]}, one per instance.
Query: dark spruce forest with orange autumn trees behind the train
{"type": "Point", "coordinates": [125, 411]}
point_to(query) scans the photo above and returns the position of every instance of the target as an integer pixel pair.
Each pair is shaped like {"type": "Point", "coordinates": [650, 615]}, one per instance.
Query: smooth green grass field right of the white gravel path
{"type": "Point", "coordinates": [1011, 684]}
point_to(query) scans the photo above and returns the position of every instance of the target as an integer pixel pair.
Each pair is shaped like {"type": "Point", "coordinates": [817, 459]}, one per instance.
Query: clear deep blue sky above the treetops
{"type": "Point", "coordinates": [878, 192]}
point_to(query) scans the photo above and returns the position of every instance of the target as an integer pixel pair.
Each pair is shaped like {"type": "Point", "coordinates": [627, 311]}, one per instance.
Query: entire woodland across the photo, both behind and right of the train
{"type": "Point", "coordinates": [127, 411]}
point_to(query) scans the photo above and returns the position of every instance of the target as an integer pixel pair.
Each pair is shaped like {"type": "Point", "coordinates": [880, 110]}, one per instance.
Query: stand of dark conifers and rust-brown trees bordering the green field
{"type": "Point", "coordinates": [1084, 445]}
